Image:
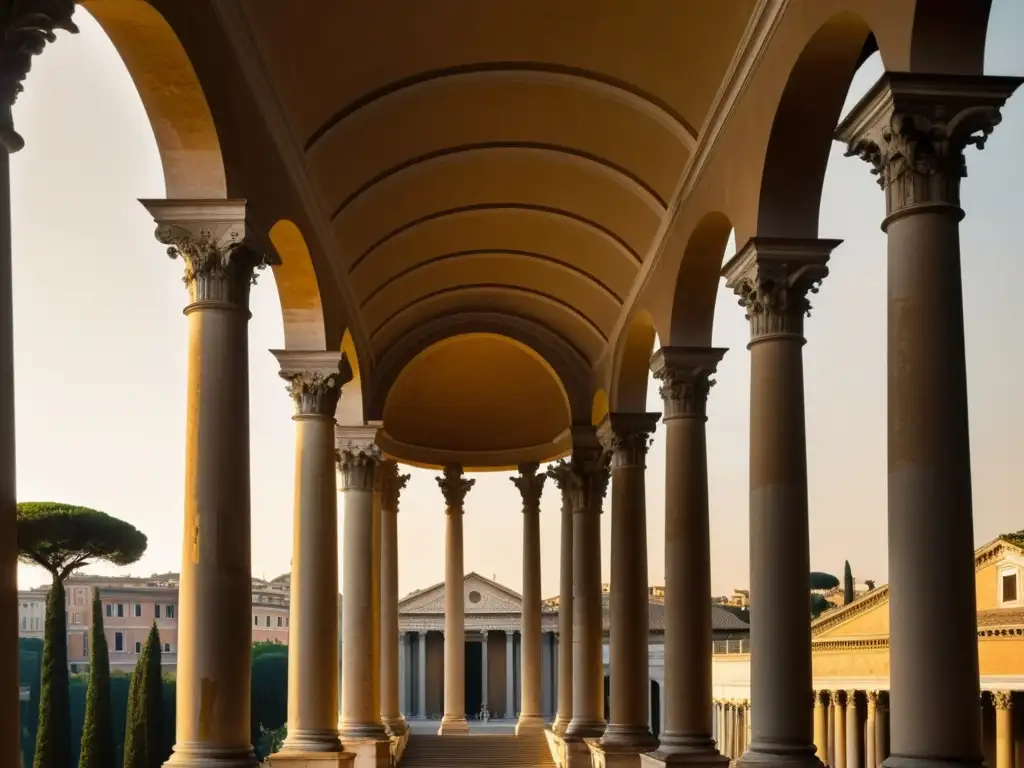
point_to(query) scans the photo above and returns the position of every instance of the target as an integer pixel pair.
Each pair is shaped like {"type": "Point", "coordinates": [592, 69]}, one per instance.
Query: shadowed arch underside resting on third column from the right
{"type": "Point", "coordinates": [697, 284]}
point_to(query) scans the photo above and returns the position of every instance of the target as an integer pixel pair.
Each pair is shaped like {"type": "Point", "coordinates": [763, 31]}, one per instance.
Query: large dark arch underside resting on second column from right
{"type": "Point", "coordinates": [802, 131]}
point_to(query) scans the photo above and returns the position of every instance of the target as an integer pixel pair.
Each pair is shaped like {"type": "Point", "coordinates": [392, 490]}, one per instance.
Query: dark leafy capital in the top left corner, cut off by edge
{"type": "Point", "coordinates": [27, 27]}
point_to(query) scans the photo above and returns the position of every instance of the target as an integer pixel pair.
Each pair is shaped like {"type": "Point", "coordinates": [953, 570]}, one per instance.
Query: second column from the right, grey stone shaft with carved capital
{"type": "Point", "coordinates": [773, 278]}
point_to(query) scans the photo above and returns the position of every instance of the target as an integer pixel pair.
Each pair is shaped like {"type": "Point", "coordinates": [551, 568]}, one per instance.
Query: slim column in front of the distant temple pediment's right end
{"type": "Point", "coordinates": [531, 486]}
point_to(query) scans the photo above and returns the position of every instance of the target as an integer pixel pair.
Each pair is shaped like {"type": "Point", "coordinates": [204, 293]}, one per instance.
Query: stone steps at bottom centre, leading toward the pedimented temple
{"type": "Point", "coordinates": [478, 751]}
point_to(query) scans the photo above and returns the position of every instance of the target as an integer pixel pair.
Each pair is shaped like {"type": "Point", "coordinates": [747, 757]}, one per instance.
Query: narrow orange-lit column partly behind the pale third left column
{"type": "Point", "coordinates": [392, 485]}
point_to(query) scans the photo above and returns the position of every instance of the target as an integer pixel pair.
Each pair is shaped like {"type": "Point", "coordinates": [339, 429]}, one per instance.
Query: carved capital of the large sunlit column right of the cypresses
{"type": "Point", "coordinates": [209, 236]}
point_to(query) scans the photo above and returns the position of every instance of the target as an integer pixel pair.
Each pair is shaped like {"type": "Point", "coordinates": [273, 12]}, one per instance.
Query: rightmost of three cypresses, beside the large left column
{"type": "Point", "coordinates": [144, 730]}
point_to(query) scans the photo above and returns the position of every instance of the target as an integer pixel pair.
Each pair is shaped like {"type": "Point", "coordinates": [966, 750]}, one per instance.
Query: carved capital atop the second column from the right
{"type": "Point", "coordinates": [773, 278]}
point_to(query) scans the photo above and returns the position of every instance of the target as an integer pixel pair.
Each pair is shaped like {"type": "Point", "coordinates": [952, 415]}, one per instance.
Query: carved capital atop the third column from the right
{"type": "Point", "coordinates": [686, 374]}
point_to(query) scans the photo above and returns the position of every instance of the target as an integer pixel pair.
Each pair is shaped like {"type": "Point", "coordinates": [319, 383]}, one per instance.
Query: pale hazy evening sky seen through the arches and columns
{"type": "Point", "coordinates": [101, 354]}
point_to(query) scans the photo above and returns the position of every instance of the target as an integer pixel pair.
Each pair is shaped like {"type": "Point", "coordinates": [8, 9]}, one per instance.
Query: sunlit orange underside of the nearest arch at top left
{"type": "Point", "coordinates": [170, 91]}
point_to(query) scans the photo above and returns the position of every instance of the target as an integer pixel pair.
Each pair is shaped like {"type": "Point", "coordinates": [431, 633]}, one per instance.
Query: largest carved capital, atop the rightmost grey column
{"type": "Point", "coordinates": [913, 131]}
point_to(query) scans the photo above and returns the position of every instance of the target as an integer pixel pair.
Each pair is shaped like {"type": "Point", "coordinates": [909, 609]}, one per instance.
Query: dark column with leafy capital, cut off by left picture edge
{"type": "Point", "coordinates": [26, 28]}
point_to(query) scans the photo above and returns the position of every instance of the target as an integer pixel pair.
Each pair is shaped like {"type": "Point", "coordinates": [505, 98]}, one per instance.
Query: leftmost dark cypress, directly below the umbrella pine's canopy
{"type": "Point", "coordinates": [54, 736]}
